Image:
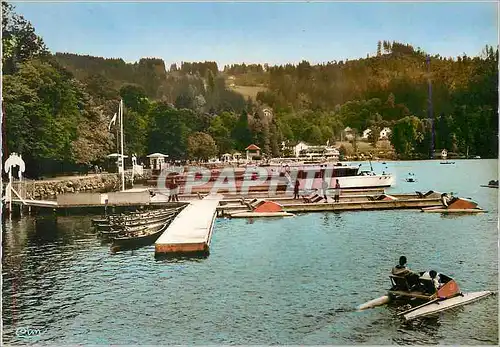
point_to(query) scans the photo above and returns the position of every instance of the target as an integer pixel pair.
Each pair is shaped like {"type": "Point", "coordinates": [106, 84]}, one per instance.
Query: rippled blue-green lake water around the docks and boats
{"type": "Point", "coordinates": [283, 281]}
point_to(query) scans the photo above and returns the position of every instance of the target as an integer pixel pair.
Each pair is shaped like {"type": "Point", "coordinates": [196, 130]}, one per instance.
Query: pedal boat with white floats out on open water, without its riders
{"type": "Point", "coordinates": [423, 294]}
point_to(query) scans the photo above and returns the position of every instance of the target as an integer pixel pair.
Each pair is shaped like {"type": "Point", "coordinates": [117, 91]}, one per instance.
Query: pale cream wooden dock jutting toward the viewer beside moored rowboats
{"type": "Point", "coordinates": [191, 231]}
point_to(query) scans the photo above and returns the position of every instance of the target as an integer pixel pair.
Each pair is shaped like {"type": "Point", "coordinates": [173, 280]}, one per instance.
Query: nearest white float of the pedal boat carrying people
{"type": "Point", "coordinates": [440, 306]}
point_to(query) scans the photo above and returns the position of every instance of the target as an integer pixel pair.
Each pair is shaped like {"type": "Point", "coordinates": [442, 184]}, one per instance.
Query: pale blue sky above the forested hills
{"type": "Point", "coordinates": [271, 32]}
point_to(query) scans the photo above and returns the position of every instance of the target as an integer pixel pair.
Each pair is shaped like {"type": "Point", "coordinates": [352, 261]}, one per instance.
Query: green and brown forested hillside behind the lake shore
{"type": "Point", "coordinates": [58, 105]}
